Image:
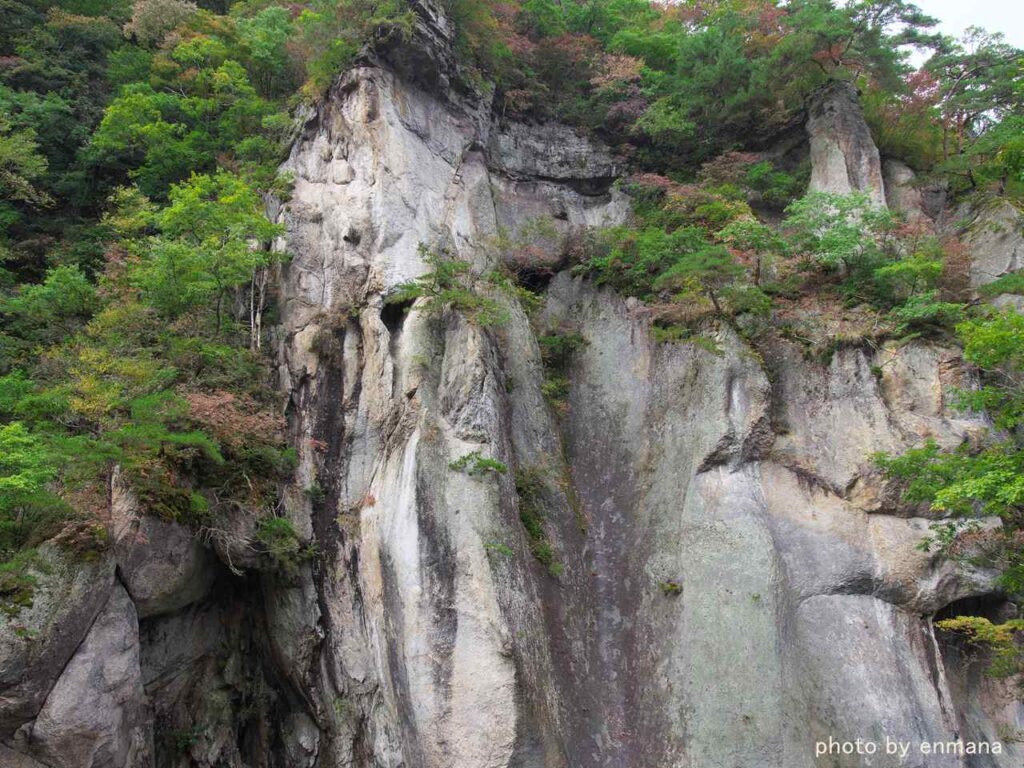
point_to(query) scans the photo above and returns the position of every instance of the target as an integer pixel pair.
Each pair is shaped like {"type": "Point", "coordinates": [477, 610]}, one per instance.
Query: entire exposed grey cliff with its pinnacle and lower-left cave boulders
{"type": "Point", "coordinates": [730, 581]}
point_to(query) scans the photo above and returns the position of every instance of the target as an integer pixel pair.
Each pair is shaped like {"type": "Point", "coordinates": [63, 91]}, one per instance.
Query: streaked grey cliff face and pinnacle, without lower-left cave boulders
{"type": "Point", "coordinates": [731, 580]}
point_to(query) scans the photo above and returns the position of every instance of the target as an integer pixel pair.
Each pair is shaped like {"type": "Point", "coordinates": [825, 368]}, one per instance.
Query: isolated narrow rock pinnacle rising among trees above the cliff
{"type": "Point", "coordinates": [844, 158]}
